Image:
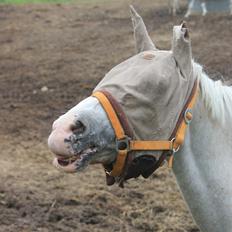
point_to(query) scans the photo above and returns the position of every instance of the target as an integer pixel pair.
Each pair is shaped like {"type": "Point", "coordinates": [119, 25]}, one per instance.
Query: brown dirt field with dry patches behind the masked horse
{"type": "Point", "coordinates": [65, 50]}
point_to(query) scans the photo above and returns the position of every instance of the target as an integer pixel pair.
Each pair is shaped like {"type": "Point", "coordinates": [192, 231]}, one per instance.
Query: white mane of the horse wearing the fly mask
{"type": "Point", "coordinates": [216, 95]}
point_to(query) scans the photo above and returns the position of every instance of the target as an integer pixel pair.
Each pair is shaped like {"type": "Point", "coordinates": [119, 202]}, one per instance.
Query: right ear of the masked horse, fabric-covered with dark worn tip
{"type": "Point", "coordinates": [181, 48]}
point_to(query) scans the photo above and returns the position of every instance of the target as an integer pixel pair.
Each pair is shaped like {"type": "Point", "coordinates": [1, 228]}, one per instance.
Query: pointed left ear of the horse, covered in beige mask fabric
{"type": "Point", "coordinates": [142, 39]}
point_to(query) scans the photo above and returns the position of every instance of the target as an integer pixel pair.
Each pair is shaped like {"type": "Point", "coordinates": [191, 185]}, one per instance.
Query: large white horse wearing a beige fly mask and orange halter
{"type": "Point", "coordinates": [150, 90]}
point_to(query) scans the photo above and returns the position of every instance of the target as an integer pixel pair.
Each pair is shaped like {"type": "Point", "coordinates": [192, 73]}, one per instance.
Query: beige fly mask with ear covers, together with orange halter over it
{"type": "Point", "coordinates": [156, 90]}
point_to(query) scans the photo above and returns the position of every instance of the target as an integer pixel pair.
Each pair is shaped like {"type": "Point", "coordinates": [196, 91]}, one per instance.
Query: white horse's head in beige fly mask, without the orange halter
{"type": "Point", "coordinates": [151, 89]}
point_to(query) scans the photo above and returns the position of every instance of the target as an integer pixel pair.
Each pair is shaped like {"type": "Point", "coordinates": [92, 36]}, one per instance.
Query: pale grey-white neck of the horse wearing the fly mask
{"type": "Point", "coordinates": [203, 165]}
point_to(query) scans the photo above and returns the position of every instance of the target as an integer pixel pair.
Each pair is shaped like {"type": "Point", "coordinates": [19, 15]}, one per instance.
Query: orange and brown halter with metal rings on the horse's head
{"type": "Point", "coordinates": [124, 142]}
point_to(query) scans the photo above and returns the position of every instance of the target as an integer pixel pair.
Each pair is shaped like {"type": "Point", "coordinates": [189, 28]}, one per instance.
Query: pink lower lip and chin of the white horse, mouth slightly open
{"type": "Point", "coordinates": [75, 163]}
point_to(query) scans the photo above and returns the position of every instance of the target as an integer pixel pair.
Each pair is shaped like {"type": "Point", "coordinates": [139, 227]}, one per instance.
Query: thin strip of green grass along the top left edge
{"type": "Point", "coordinates": [47, 1]}
